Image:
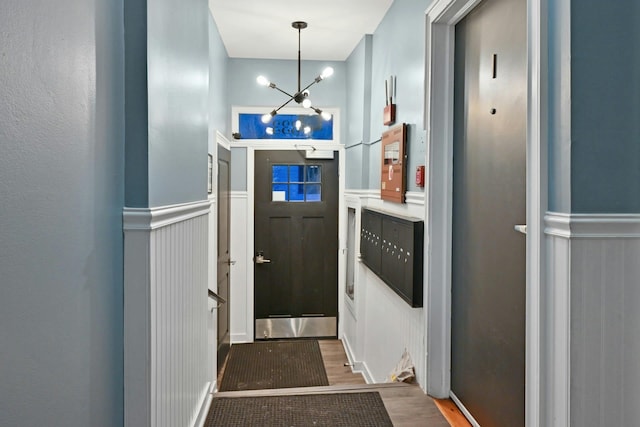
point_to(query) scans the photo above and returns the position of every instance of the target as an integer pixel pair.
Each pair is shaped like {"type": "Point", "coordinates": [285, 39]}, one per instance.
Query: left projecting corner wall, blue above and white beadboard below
{"type": "Point", "coordinates": [166, 223]}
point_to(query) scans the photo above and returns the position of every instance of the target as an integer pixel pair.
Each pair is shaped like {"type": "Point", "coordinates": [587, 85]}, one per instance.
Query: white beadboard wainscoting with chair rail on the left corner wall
{"type": "Point", "coordinates": [166, 354]}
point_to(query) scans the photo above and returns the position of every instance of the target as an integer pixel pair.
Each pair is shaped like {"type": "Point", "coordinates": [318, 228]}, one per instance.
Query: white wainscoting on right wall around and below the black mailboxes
{"type": "Point", "coordinates": [379, 325]}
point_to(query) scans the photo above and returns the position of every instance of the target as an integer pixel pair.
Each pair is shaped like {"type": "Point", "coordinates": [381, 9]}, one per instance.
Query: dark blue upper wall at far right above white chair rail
{"type": "Point", "coordinates": [605, 106]}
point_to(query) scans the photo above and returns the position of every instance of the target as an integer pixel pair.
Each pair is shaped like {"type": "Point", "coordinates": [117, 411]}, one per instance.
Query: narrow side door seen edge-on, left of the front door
{"type": "Point", "coordinates": [224, 258]}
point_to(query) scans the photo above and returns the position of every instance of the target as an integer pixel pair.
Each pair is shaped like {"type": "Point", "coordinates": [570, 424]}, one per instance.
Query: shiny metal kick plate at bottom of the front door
{"type": "Point", "coordinates": [296, 327]}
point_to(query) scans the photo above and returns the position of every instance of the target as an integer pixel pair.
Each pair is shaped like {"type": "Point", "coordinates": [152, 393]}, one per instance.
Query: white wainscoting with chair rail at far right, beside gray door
{"type": "Point", "coordinates": [597, 260]}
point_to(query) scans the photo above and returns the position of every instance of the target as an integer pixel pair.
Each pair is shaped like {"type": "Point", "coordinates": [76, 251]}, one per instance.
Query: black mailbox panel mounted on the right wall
{"type": "Point", "coordinates": [392, 247]}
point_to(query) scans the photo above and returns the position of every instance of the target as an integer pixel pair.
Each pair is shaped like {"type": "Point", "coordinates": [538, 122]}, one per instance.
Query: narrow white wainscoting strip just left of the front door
{"type": "Point", "coordinates": [242, 271]}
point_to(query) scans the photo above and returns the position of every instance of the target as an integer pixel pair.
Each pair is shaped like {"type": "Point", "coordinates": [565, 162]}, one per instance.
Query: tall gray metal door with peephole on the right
{"type": "Point", "coordinates": [489, 199]}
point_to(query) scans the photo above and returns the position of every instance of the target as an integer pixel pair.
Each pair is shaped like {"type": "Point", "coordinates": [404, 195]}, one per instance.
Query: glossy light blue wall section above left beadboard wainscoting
{"type": "Point", "coordinates": [178, 91]}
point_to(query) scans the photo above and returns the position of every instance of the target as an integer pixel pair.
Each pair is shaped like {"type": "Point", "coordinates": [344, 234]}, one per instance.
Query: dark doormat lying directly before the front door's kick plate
{"type": "Point", "coordinates": [274, 364]}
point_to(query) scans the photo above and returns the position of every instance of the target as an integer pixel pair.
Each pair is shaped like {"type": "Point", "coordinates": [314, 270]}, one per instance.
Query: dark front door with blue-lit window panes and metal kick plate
{"type": "Point", "coordinates": [296, 245]}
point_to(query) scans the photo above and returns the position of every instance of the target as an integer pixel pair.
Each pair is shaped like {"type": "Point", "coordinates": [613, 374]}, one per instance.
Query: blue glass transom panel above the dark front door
{"type": "Point", "coordinates": [284, 127]}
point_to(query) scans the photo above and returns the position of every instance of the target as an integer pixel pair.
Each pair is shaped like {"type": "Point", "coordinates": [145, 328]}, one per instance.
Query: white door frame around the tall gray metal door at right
{"type": "Point", "coordinates": [441, 18]}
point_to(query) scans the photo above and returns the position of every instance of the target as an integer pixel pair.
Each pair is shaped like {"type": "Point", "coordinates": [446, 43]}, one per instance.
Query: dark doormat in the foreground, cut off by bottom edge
{"type": "Point", "coordinates": [336, 410]}
